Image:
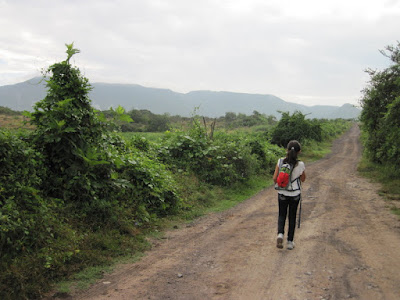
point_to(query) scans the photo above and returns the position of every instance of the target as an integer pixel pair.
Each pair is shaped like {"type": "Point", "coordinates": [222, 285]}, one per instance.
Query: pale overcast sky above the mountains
{"type": "Point", "coordinates": [304, 51]}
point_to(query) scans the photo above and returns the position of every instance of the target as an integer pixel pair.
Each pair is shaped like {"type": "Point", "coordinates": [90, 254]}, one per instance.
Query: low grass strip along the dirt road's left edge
{"type": "Point", "coordinates": [201, 200]}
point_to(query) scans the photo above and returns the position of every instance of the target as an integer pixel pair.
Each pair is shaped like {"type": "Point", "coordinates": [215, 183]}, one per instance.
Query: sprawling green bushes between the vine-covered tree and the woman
{"type": "Point", "coordinates": [221, 160]}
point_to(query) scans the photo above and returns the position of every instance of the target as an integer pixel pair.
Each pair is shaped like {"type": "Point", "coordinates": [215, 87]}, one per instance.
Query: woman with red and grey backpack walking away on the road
{"type": "Point", "coordinates": [289, 197]}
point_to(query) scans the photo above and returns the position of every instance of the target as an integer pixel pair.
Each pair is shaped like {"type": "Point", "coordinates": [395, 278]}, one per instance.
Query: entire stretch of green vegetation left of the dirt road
{"type": "Point", "coordinates": [77, 195]}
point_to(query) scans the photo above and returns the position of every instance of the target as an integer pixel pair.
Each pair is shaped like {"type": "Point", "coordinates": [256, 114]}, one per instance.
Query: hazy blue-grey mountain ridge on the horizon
{"type": "Point", "coordinates": [22, 96]}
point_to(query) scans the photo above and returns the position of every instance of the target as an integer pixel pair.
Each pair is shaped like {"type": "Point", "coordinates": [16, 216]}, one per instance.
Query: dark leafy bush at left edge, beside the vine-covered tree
{"type": "Point", "coordinates": [22, 209]}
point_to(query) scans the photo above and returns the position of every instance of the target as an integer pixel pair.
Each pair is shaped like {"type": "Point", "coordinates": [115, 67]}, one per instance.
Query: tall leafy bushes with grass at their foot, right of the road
{"type": "Point", "coordinates": [381, 128]}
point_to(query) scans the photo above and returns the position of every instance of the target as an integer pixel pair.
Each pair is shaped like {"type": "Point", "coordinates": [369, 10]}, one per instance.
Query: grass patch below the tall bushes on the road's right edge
{"type": "Point", "coordinates": [389, 180]}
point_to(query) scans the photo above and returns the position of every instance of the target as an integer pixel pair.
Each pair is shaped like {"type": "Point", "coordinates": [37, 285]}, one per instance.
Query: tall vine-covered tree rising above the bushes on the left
{"type": "Point", "coordinates": [67, 130]}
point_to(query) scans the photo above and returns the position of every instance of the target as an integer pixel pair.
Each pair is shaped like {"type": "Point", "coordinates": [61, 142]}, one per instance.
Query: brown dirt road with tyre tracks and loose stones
{"type": "Point", "coordinates": [348, 246]}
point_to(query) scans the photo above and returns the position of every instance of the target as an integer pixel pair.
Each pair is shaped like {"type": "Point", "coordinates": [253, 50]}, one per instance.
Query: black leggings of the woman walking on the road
{"type": "Point", "coordinates": [287, 203]}
